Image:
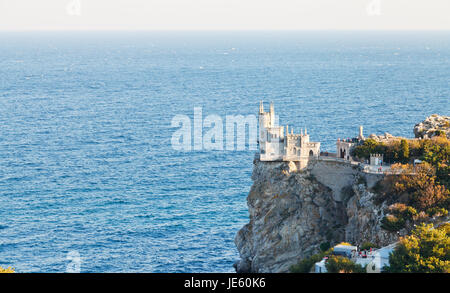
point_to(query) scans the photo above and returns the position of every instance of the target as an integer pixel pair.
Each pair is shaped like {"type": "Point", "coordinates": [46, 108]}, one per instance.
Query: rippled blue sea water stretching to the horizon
{"type": "Point", "coordinates": [86, 163]}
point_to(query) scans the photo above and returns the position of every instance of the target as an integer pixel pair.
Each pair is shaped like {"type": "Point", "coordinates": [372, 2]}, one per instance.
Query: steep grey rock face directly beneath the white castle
{"type": "Point", "coordinates": [292, 212]}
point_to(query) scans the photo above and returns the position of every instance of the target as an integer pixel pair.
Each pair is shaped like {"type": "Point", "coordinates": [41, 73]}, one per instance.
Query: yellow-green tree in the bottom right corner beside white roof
{"type": "Point", "coordinates": [426, 250]}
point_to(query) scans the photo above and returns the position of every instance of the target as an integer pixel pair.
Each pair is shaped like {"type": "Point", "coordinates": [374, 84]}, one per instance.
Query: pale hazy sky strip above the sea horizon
{"type": "Point", "coordinates": [224, 14]}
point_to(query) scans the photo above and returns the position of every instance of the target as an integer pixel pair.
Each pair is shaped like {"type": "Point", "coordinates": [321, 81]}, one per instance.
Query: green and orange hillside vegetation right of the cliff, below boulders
{"type": "Point", "coordinates": [418, 191]}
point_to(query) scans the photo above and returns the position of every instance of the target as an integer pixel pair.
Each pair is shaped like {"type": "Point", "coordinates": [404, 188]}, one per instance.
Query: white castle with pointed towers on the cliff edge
{"type": "Point", "coordinates": [276, 145]}
